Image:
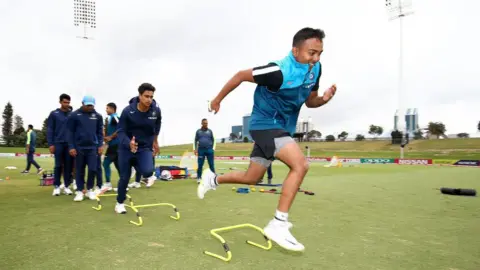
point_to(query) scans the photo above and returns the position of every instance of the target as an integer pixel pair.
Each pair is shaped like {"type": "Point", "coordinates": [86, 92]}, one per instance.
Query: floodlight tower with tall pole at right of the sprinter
{"type": "Point", "coordinates": [398, 9]}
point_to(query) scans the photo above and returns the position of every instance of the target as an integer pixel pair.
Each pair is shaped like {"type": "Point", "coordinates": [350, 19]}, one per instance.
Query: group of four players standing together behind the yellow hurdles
{"type": "Point", "coordinates": [77, 140]}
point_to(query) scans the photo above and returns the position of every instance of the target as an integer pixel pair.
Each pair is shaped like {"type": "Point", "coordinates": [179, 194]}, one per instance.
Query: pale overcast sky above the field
{"type": "Point", "coordinates": [189, 49]}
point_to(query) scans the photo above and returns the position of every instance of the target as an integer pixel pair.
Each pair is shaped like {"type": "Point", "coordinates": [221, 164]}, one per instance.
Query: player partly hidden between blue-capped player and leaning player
{"type": "Point", "coordinates": [111, 139]}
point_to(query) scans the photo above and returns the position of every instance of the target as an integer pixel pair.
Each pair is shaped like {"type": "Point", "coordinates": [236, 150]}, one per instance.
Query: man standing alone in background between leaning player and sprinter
{"type": "Point", "coordinates": [204, 146]}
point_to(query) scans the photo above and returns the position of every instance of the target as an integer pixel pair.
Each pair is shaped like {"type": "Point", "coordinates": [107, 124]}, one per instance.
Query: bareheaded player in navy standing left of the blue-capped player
{"type": "Point", "coordinates": [58, 145]}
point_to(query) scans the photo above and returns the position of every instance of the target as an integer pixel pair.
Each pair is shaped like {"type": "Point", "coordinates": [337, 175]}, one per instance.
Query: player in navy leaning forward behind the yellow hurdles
{"type": "Point", "coordinates": [138, 131]}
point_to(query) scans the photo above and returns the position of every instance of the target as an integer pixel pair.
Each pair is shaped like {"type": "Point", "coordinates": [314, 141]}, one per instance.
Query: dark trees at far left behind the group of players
{"type": "Point", "coordinates": [13, 130]}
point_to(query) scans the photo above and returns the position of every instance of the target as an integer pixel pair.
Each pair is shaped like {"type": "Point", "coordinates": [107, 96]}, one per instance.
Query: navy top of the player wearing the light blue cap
{"type": "Point", "coordinates": [85, 130]}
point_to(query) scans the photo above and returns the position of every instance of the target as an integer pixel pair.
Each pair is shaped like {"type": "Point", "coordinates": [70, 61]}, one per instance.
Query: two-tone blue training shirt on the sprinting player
{"type": "Point", "coordinates": [283, 86]}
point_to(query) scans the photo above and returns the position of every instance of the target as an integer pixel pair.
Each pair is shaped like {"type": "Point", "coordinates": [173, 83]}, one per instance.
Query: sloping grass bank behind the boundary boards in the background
{"type": "Point", "coordinates": [426, 149]}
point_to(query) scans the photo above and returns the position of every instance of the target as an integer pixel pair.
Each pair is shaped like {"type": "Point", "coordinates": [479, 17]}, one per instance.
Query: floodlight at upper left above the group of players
{"type": "Point", "coordinates": [84, 18]}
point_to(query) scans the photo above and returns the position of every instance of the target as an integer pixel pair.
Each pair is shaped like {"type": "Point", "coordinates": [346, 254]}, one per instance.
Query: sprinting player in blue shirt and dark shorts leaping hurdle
{"type": "Point", "coordinates": [282, 88]}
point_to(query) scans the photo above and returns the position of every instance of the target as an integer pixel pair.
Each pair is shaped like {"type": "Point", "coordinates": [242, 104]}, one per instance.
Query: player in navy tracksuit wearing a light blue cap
{"type": "Point", "coordinates": [85, 143]}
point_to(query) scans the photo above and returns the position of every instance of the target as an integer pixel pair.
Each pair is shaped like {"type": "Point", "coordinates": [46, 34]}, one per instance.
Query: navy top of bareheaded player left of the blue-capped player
{"type": "Point", "coordinates": [57, 127]}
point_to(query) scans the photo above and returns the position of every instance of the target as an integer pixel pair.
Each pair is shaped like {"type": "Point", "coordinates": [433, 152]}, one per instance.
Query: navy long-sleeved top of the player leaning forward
{"type": "Point", "coordinates": [143, 125]}
